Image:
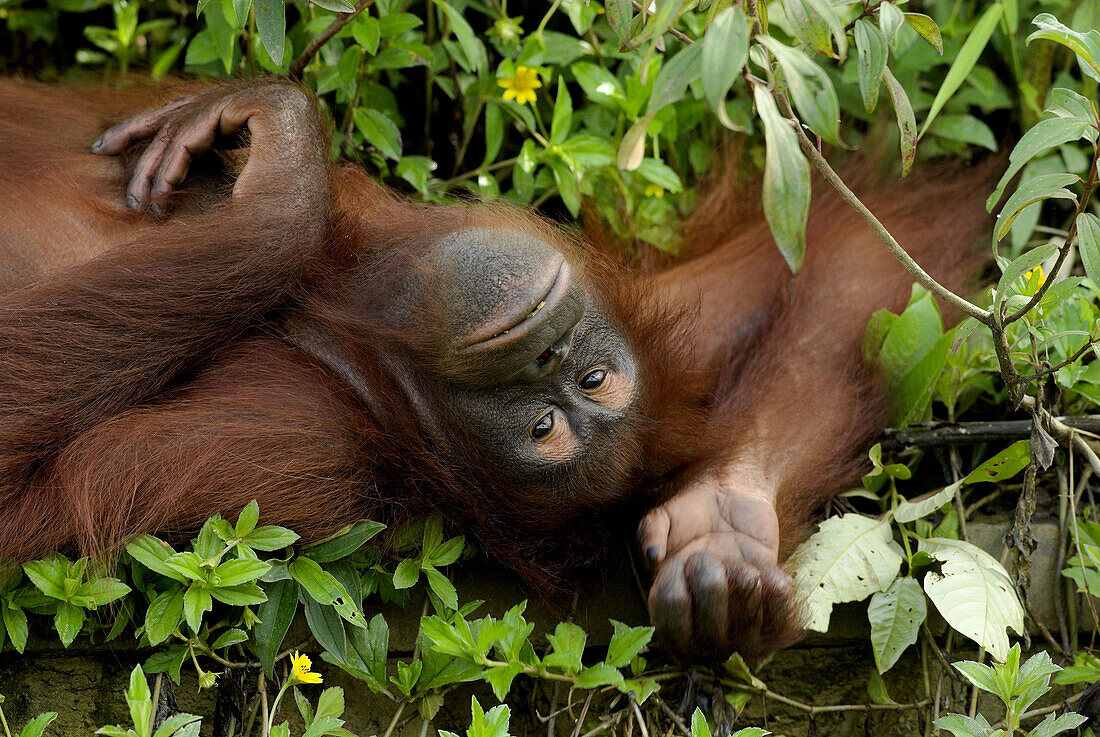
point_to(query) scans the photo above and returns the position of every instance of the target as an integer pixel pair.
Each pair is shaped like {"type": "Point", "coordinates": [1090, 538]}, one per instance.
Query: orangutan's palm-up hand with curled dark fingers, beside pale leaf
{"type": "Point", "coordinates": [718, 585]}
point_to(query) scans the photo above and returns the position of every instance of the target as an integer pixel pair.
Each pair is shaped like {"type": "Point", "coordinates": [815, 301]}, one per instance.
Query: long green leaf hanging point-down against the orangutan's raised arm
{"type": "Point", "coordinates": [786, 182]}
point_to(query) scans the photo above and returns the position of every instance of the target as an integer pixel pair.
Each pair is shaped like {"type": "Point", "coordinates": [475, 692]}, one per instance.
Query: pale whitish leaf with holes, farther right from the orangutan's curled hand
{"type": "Point", "coordinates": [974, 595]}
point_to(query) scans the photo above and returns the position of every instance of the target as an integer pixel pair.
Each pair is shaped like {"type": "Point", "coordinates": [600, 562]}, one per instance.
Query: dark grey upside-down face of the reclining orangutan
{"type": "Point", "coordinates": [538, 373]}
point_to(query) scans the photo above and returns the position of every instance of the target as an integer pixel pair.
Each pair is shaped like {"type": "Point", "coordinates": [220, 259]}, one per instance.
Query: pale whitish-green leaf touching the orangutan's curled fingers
{"type": "Point", "coordinates": [846, 560]}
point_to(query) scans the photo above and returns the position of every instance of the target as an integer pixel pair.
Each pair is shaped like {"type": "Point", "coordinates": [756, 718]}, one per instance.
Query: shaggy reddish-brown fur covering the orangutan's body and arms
{"type": "Point", "coordinates": [104, 435]}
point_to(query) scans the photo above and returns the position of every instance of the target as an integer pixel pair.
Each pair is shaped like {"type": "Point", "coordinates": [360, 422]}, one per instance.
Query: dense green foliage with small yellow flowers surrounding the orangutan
{"type": "Point", "coordinates": [617, 113]}
